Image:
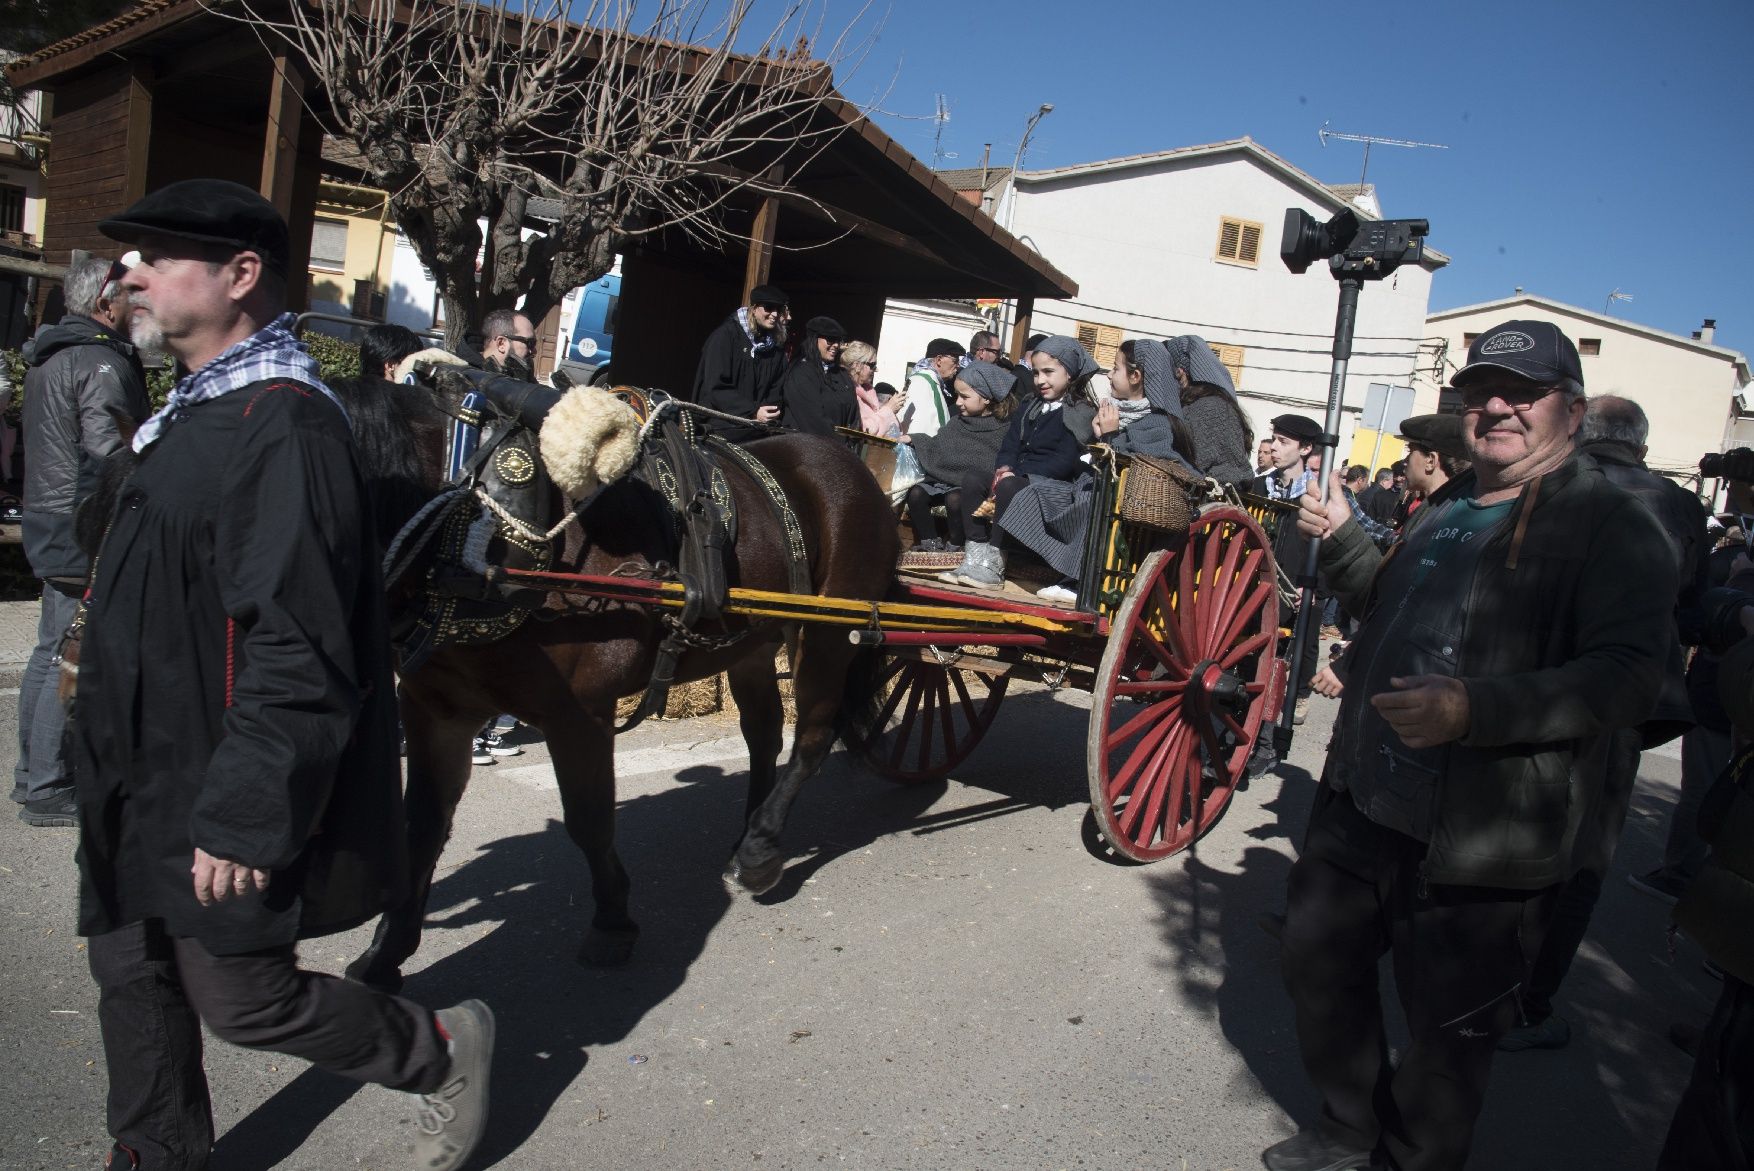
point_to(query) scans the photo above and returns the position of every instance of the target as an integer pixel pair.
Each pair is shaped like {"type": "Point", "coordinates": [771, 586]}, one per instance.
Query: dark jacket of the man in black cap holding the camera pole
{"type": "Point", "coordinates": [1560, 637]}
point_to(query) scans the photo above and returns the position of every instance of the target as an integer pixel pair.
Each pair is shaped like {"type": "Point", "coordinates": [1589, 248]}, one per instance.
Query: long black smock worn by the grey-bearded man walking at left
{"type": "Point", "coordinates": [236, 683]}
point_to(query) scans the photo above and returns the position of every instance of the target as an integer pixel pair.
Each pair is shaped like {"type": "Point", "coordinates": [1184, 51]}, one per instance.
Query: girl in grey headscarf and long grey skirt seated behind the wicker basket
{"type": "Point", "coordinates": [1141, 418]}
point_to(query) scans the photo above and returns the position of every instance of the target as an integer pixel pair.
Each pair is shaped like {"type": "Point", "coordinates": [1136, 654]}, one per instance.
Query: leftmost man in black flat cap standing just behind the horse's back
{"type": "Point", "coordinates": [743, 364]}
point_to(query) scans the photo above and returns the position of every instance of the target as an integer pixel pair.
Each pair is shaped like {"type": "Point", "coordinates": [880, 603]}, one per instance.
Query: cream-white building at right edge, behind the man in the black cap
{"type": "Point", "coordinates": [1692, 390]}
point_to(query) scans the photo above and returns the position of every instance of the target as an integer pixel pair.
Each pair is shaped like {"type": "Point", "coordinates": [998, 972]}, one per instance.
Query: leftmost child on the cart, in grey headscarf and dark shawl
{"type": "Point", "coordinates": [967, 446]}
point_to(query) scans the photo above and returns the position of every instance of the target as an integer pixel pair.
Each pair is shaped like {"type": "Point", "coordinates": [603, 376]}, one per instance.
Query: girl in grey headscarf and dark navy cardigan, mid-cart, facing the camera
{"type": "Point", "coordinates": [1043, 455]}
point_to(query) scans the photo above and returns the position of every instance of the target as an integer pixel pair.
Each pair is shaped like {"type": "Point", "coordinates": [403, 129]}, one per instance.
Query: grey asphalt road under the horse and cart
{"type": "Point", "coordinates": [945, 979]}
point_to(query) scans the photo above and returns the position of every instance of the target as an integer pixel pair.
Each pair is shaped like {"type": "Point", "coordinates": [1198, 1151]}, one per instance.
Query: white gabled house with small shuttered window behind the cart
{"type": "Point", "coordinates": [1187, 243]}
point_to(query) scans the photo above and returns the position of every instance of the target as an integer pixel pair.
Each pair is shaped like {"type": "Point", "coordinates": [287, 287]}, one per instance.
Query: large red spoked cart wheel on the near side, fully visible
{"type": "Point", "coordinates": [1185, 688]}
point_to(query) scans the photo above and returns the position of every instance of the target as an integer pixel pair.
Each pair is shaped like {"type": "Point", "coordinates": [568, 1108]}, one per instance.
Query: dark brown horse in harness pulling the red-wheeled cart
{"type": "Point", "coordinates": [564, 671]}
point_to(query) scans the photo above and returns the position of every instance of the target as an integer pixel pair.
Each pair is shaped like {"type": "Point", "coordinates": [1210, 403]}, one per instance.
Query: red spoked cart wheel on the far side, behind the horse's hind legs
{"type": "Point", "coordinates": [929, 714]}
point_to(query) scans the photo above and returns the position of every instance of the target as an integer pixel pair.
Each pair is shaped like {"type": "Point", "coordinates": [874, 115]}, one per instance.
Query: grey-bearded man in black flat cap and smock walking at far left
{"type": "Point", "coordinates": [236, 748]}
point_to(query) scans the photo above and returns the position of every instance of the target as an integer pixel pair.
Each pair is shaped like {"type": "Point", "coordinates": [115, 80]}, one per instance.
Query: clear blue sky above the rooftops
{"type": "Point", "coordinates": [1592, 146]}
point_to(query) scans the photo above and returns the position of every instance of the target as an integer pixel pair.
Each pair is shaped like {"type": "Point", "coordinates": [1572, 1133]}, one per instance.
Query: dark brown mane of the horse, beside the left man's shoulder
{"type": "Point", "coordinates": [394, 425]}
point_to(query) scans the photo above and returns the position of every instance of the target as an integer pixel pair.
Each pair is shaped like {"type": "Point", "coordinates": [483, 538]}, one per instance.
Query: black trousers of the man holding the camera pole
{"type": "Point", "coordinates": [1460, 958]}
